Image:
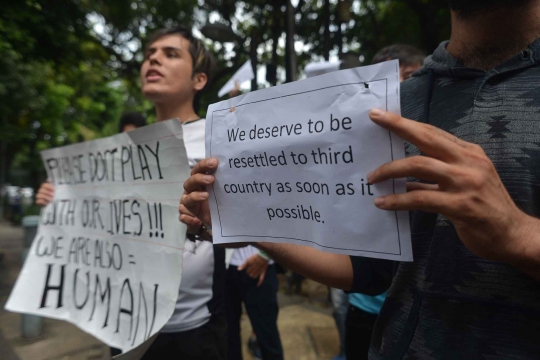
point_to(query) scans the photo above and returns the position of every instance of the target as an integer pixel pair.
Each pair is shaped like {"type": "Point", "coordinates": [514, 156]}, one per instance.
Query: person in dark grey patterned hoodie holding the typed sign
{"type": "Point", "coordinates": [471, 116]}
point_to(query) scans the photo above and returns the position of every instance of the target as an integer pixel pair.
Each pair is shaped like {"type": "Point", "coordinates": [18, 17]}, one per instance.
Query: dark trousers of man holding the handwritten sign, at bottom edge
{"type": "Point", "coordinates": [208, 342]}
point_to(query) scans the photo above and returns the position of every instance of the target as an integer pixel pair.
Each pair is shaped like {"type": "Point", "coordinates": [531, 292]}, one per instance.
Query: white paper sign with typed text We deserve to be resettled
{"type": "Point", "coordinates": [293, 163]}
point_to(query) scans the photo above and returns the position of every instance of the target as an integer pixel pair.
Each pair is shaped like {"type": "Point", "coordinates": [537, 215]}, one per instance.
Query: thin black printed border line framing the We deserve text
{"type": "Point", "coordinates": [289, 238]}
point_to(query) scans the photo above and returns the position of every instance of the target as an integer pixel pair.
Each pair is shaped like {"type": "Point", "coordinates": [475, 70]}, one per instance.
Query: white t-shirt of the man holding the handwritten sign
{"type": "Point", "coordinates": [196, 288]}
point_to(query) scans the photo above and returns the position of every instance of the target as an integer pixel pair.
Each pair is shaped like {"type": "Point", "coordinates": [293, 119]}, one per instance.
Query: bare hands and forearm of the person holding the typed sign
{"type": "Point", "coordinates": [469, 193]}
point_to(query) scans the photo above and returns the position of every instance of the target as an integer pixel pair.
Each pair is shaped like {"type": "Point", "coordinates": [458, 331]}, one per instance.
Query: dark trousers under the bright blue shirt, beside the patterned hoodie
{"type": "Point", "coordinates": [359, 327]}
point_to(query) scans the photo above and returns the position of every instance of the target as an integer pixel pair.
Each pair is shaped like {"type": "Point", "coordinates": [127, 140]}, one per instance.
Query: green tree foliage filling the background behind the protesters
{"type": "Point", "coordinates": [69, 68]}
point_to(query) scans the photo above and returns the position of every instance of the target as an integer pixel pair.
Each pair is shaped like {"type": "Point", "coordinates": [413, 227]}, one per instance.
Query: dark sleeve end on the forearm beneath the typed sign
{"type": "Point", "coordinates": [371, 276]}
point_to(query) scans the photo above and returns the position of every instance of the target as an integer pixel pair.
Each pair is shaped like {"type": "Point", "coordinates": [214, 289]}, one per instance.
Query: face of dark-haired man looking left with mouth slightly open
{"type": "Point", "coordinates": [166, 72]}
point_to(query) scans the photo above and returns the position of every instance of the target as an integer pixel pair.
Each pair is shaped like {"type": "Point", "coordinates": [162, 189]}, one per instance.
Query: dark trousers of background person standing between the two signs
{"type": "Point", "coordinates": [262, 308]}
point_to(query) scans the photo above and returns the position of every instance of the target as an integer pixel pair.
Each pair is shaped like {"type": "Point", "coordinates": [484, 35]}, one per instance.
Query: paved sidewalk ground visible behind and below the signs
{"type": "Point", "coordinates": [305, 322]}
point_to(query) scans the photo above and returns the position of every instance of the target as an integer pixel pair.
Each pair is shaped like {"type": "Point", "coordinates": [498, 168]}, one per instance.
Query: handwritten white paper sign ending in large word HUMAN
{"type": "Point", "coordinates": [107, 256]}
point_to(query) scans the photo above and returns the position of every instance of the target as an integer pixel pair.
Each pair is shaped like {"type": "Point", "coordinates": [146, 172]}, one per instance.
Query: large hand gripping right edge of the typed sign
{"type": "Point", "coordinates": [469, 192]}
